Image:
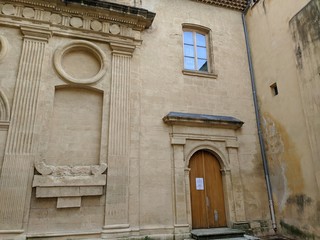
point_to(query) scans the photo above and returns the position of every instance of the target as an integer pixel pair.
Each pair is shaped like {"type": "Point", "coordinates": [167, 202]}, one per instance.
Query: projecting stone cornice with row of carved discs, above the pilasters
{"type": "Point", "coordinates": [99, 18]}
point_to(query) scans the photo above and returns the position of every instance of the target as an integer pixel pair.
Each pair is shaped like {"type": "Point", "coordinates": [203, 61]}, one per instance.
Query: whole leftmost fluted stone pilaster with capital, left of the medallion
{"type": "Point", "coordinates": [19, 151]}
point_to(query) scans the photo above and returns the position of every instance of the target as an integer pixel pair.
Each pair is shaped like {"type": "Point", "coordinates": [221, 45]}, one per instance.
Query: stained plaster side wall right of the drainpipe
{"type": "Point", "coordinates": [289, 142]}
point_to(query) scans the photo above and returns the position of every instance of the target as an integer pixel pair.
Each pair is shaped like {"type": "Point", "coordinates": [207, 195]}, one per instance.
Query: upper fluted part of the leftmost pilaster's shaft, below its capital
{"type": "Point", "coordinates": [26, 94]}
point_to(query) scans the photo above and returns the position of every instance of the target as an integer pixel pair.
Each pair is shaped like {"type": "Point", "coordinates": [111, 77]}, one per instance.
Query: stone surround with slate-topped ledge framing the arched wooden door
{"type": "Point", "coordinates": [191, 133]}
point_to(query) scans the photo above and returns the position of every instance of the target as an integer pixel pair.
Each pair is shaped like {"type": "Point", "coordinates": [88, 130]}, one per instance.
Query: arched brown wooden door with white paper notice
{"type": "Point", "coordinates": [207, 201]}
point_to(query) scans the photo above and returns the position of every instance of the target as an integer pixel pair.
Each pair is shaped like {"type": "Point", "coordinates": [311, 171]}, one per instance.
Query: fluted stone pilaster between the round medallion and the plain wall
{"type": "Point", "coordinates": [117, 198]}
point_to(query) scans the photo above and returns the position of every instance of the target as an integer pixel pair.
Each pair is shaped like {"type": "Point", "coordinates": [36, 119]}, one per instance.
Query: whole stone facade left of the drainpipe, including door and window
{"type": "Point", "coordinates": [112, 113]}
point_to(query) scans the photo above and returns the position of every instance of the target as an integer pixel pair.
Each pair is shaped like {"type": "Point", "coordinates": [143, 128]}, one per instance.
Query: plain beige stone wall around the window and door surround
{"type": "Point", "coordinates": [165, 89]}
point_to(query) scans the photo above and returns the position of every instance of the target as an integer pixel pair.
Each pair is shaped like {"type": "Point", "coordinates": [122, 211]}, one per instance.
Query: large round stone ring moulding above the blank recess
{"type": "Point", "coordinates": [80, 62]}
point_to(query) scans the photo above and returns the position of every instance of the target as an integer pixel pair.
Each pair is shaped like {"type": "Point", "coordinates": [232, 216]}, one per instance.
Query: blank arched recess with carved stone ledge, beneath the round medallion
{"type": "Point", "coordinates": [74, 165]}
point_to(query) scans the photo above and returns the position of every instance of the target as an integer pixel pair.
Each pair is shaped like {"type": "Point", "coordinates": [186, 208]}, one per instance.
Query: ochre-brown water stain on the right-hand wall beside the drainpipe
{"type": "Point", "coordinates": [284, 163]}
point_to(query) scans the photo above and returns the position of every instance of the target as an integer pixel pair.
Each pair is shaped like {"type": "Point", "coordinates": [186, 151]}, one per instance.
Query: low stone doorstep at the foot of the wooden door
{"type": "Point", "coordinates": [217, 233]}
